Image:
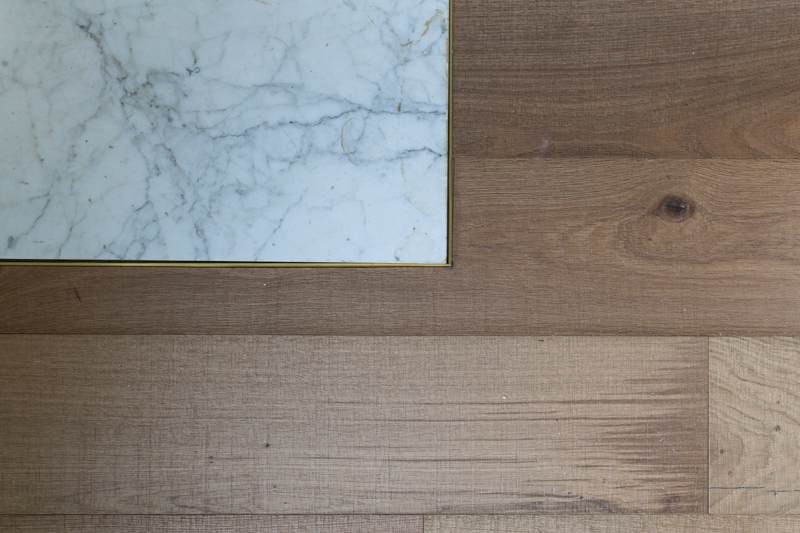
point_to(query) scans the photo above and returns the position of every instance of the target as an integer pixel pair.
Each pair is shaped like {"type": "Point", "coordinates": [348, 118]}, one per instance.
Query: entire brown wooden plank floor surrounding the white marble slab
{"type": "Point", "coordinates": [616, 348]}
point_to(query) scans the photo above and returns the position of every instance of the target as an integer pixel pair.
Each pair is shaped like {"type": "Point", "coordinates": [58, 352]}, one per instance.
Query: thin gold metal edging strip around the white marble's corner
{"type": "Point", "coordinates": [228, 264]}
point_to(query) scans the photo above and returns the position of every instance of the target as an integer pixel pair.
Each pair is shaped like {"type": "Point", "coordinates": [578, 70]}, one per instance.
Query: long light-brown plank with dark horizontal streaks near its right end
{"type": "Point", "coordinates": [294, 425]}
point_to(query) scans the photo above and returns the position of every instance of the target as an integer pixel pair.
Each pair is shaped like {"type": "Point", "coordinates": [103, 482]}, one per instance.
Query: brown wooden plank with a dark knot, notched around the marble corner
{"type": "Point", "coordinates": [558, 247]}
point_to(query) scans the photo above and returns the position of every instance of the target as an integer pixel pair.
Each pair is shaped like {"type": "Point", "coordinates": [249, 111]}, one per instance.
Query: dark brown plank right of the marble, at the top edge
{"type": "Point", "coordinates": [633, 78]}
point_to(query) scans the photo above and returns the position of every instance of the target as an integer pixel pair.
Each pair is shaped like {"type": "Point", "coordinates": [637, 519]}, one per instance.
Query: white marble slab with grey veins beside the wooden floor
{"type": "Point", "coordinates": [235, 130]}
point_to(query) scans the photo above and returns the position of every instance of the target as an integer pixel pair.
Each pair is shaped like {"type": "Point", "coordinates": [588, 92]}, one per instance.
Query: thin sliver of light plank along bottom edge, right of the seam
{"type": "Point", "coordinates": [611, 524]}
